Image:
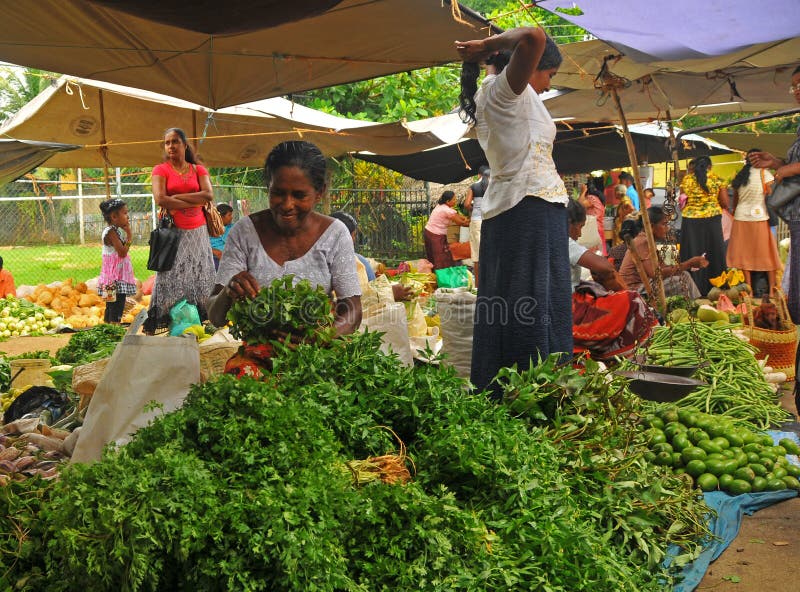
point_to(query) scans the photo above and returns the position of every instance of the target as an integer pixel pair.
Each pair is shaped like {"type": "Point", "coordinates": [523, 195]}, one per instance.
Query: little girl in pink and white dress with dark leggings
{"type": "Point", "coordinates": [116, 279]}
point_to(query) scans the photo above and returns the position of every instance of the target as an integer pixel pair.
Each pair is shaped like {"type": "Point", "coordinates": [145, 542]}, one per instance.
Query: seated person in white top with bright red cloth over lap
{"type": "Point", "coordinates": [607, 319]}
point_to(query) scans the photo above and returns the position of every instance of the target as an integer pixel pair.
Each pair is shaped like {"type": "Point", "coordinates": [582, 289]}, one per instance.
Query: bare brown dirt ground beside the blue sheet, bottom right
{"type": "Point", "coordinates": [766, 553]}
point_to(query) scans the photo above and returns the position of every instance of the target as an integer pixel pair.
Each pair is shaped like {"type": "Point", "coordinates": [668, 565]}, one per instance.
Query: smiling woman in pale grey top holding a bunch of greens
{"type": "Point", "coordinates": [290, 238]}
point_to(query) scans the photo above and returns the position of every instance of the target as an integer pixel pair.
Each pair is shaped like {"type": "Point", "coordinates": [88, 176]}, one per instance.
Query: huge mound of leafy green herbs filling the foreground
{"type": "Point", "coordinates": [244, 488]}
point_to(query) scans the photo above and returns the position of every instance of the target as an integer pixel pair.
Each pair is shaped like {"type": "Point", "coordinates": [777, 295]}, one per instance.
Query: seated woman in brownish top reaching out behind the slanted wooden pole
{"type": "Point", "coordinates": [676, 278]}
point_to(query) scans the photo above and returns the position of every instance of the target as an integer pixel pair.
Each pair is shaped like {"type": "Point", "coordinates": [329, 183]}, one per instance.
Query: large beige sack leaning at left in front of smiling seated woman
{"type": "Point", "coordinates": [142, 369]}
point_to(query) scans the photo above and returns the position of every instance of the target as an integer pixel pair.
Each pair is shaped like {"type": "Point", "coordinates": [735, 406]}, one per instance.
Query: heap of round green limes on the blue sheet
{"type": "Point", "coordinates": [719, 454]}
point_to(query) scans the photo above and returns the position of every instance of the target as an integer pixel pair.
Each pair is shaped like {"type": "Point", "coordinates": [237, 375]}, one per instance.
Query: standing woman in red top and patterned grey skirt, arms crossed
{"type": "Point", "coordinates": [182, 187]}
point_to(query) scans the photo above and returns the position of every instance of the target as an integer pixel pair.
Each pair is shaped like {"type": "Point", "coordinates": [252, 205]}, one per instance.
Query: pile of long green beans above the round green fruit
{"type": "Point", "coordinates": [736, 385]}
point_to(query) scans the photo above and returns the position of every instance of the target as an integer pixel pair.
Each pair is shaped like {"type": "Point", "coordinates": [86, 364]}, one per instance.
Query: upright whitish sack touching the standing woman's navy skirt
{"type": "Point", "coordinates": [457, 313]}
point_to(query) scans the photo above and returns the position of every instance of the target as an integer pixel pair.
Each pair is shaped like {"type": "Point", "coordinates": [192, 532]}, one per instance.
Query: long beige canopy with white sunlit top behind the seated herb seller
{"type": "Point", "coordinates": [131, 123]}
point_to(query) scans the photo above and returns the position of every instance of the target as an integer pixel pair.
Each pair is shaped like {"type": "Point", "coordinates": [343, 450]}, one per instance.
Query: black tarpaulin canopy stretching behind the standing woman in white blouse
{"type": "Point", "coordinates": [577, 149]}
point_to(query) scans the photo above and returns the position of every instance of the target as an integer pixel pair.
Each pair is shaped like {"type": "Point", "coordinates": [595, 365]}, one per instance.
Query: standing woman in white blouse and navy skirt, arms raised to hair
{"type": "Point", "coordinates": [523, 309]}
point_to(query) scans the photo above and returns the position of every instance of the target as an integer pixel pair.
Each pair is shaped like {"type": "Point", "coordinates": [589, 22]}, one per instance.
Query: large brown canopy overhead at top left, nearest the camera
{"type": "Point", "coordinates": [224, 54]}
